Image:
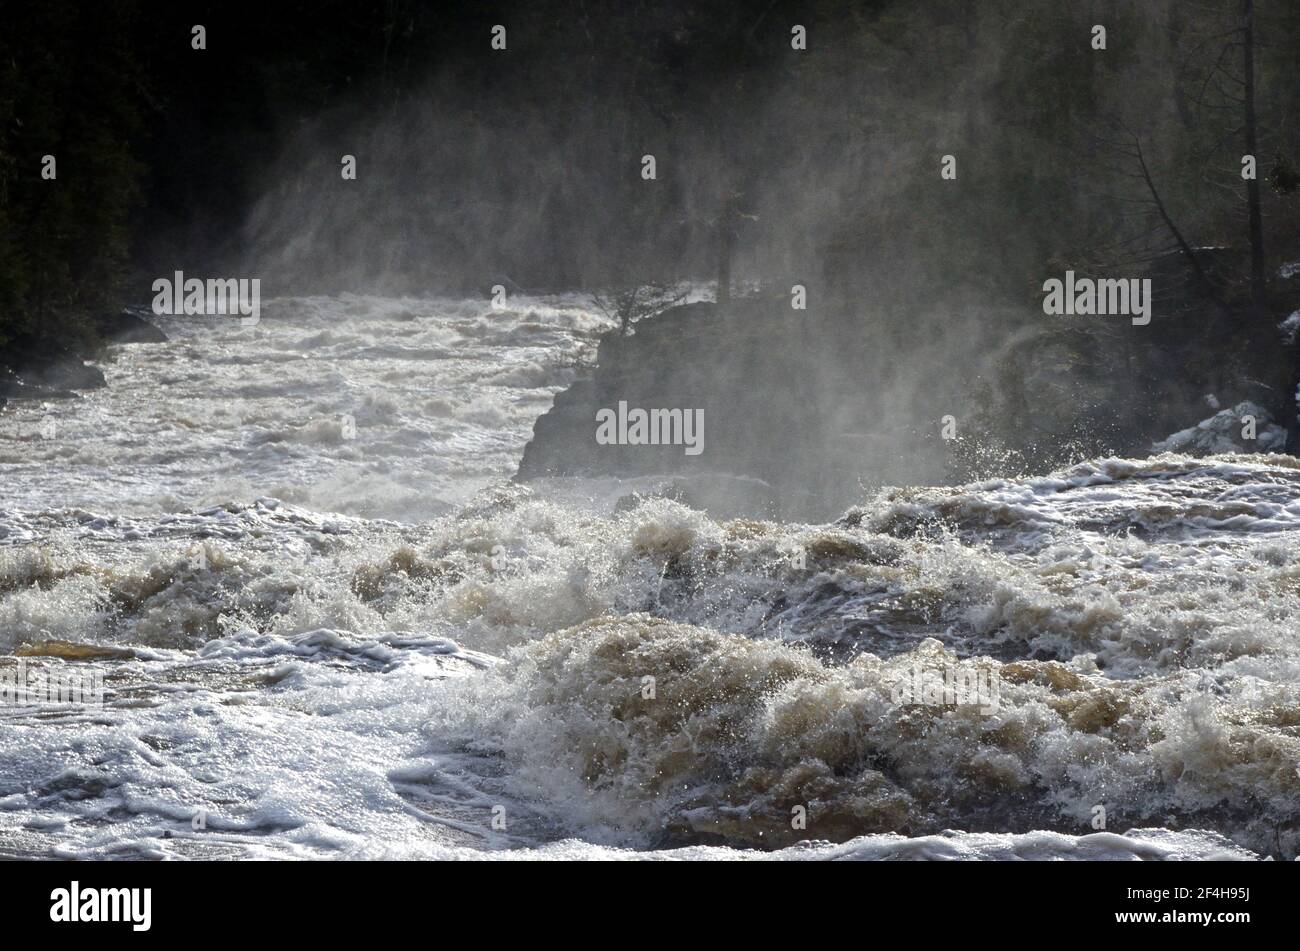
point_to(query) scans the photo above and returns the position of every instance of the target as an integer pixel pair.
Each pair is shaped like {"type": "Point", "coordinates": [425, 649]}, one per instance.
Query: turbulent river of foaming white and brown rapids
{"type": "Point", "coordinates": [328, 624]}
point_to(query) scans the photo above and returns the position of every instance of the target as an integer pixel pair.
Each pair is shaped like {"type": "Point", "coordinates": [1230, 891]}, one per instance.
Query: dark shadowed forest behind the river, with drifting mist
{"type": "Point", "coordinates": [523, 167]}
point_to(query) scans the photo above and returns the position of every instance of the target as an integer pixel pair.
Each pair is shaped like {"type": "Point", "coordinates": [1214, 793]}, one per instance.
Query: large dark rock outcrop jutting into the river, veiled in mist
{"type": "Point", "coordinates": [781, 411]}
